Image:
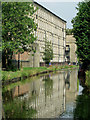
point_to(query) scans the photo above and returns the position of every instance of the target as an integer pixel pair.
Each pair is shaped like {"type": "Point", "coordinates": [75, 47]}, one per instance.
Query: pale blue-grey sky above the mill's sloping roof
{"type": "Point", "coordinates": [65, 9]}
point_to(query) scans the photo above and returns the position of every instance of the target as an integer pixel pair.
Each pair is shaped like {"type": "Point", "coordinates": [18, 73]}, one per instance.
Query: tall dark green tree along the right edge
{"type": "Point", "coordinates": [81, 31]}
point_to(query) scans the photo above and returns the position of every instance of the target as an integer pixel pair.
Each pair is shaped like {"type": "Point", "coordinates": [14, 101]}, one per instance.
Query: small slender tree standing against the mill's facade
{"type": "Point", "coordinates": [48, 52]}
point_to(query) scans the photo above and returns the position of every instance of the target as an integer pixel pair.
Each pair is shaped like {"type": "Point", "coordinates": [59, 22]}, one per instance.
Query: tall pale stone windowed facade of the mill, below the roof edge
{"type": "Point", "coordinates": [52, 28]}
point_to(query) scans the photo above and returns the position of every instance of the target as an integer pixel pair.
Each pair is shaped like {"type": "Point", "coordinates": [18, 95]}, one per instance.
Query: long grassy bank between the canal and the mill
{"type": "Point", "coordinates": [28, 71]}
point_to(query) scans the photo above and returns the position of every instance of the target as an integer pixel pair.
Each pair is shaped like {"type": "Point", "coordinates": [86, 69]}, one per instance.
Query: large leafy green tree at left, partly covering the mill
{"type": "Point", "coordinates": [17, 28]}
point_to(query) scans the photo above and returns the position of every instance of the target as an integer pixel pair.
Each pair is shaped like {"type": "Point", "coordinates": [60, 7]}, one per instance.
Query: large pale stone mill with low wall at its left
{"type": "Point", "coordinates": [52, 28]}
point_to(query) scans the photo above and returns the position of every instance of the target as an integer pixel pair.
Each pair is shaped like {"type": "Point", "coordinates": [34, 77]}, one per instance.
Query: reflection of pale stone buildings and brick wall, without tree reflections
{"type": "Point", "coordinates": [48, 94]}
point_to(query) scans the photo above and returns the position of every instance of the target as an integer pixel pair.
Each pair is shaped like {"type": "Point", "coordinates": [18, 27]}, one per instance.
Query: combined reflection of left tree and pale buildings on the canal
{"type": "Point", "coordinates": [44, 97]}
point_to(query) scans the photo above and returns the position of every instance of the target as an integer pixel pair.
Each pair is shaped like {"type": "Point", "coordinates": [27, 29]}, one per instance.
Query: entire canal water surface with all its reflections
{"type": "Point", "coordinates": [55, 95]}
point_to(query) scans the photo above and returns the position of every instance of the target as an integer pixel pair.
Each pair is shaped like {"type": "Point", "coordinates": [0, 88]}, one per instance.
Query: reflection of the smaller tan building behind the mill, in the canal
{"type": "Point", "coordinates": [71, 86]}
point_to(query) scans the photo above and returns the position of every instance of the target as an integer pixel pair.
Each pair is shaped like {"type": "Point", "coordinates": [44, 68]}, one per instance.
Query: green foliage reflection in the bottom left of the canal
{"type": "Point", "coordinates": [18, 109]}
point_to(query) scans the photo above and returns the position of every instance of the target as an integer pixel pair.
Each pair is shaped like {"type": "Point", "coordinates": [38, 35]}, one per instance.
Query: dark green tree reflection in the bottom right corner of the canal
{"type": "Point", "coordinates": [82, 111]}
